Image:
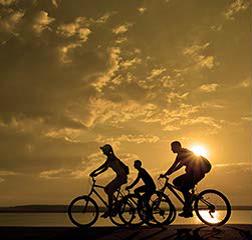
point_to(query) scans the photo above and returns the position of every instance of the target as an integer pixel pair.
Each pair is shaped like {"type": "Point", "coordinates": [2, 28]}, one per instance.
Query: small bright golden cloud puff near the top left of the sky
{"type": "Point", "coordinates": [42, 22]}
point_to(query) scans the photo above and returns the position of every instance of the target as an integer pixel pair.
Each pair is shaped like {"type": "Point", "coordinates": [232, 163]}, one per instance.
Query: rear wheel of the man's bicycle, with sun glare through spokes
{"type": "Point", "coordinates": [212, 207]}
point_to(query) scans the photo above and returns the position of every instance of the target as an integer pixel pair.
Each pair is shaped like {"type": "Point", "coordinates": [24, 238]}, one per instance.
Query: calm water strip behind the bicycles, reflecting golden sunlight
{"type": "Point", "coordinates": [61, 219]}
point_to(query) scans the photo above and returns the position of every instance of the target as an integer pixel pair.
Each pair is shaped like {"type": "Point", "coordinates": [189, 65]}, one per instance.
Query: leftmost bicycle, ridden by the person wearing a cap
{"type": "Point", "coordinates": [83, 210]}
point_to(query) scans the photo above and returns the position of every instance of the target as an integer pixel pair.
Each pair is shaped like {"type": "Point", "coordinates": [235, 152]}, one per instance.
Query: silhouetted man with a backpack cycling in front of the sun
{"type": "Point", "coordinates": [196, 167]}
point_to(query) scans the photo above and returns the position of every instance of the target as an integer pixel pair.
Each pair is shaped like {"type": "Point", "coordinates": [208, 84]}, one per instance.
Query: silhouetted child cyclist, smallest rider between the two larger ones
{"type": "Point", "coordinates": [149, 186]}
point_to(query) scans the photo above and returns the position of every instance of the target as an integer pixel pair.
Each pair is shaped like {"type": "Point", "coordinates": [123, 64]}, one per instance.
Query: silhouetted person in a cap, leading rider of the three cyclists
{"type": "Point", "coordinates": [118, 167]}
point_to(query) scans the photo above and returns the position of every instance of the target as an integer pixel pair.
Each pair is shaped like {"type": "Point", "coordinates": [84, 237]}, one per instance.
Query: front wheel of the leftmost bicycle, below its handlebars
{"type": "Point", "coordinates": [83, 211]}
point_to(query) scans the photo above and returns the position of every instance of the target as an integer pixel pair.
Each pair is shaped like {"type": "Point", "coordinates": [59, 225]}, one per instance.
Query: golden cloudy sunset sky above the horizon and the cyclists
{"type": "Point", "coordinates": [75, 75]}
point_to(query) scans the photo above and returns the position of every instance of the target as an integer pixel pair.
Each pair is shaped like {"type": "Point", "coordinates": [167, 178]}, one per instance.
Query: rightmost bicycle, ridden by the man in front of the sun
{"type": "Point", "coordinates": [211, 206]}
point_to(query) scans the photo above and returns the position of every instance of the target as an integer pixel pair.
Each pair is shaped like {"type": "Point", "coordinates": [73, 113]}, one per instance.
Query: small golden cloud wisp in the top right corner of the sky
{"type": "Point", "coordinates": [235, 7]}
